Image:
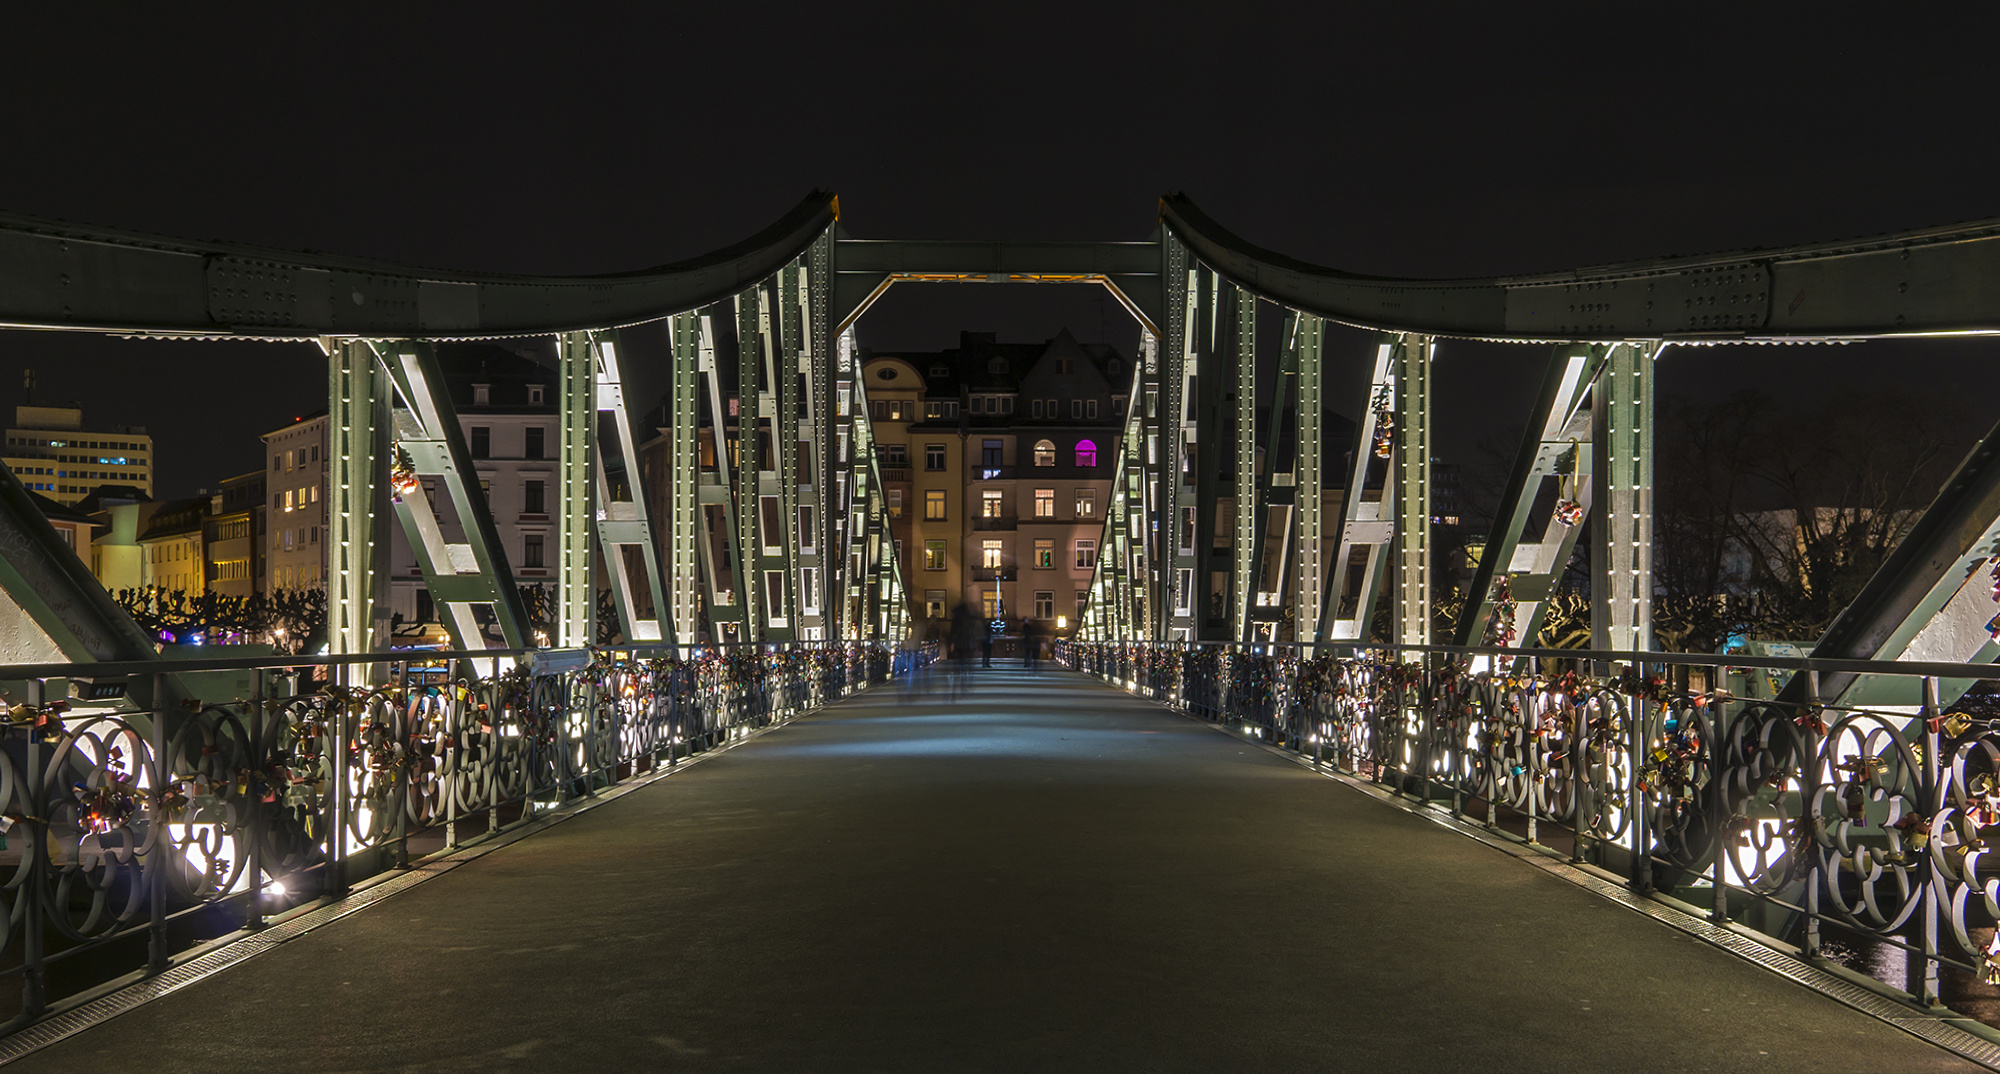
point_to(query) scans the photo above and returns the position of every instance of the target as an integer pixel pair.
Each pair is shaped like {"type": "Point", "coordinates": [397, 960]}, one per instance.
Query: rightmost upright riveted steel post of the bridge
{"type": "Point", "coordinates": [1621, 561]}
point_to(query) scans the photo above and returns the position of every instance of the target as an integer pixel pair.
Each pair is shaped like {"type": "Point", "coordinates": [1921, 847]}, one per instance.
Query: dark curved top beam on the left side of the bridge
{"type": "Point", "coordinates": [57, 275]}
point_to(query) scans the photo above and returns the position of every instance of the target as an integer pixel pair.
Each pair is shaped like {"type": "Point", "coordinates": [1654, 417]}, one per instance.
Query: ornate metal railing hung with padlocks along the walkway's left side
{"type": "Point", "coordinates": [139, 833]}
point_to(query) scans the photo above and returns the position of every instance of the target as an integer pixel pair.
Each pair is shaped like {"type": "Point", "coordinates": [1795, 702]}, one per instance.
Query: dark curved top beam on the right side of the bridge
{"type": "Point", "coordinates": [1935, 281]}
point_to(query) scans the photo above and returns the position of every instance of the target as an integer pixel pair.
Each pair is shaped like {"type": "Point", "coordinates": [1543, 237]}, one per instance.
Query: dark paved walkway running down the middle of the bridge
{"type": "Point", "coordinates": [1045, 877]}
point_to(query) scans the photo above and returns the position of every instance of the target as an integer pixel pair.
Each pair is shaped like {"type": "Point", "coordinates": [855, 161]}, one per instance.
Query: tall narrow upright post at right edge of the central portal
{"type": "Point", "coordinates": [1173, 425]}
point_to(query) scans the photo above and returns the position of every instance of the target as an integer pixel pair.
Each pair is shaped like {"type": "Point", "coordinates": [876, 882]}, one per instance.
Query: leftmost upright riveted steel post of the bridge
{"type": "Point", "coordinates": [357, 501]}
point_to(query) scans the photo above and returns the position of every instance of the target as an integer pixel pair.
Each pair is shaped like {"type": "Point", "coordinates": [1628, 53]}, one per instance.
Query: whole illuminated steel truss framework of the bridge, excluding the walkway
{"type": "Point", "coordinates": [781, 541]}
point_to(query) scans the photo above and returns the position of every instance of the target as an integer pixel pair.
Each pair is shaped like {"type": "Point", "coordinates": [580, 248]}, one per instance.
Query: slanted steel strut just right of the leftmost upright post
{"type": "Point", "coordinates": [469, 579]}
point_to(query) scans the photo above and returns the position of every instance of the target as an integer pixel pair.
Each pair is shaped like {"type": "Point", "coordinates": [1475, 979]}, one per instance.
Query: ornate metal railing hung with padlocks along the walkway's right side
{"type": "Point", "coordinates": [1855, 837]}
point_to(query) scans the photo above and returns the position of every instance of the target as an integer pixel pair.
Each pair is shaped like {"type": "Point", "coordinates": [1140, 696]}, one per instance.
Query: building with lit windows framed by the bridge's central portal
{"type": "Point", "coordinates": [999, 461]}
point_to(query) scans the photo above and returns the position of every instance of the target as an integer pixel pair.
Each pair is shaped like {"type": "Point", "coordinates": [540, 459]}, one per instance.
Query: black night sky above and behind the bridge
{"type": "Point", "coordinates": [561, 141]}
